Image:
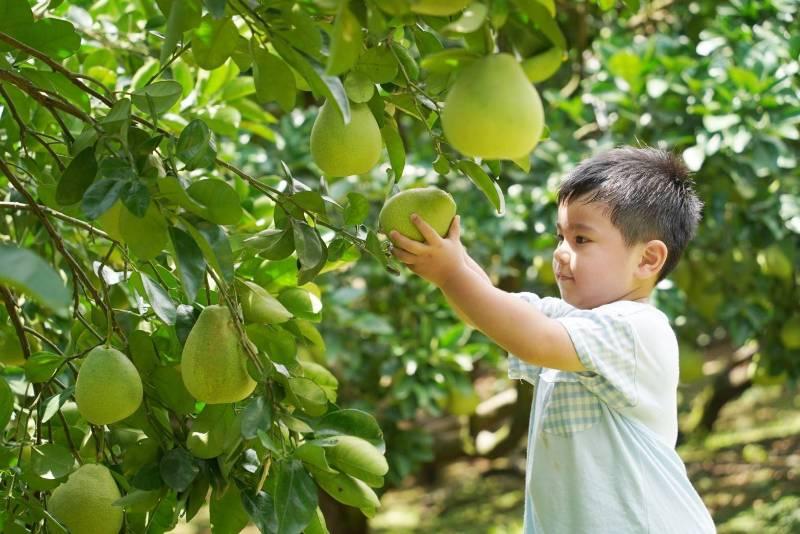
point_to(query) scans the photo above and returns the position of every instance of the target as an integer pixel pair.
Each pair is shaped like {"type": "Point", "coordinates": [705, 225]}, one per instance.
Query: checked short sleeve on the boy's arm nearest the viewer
{"type": "Point", "coordinates": [606, 346]}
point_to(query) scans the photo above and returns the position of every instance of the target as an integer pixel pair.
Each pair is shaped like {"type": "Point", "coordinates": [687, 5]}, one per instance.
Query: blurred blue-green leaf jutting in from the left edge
{"type": "Point", "coordinates": [24, 270]}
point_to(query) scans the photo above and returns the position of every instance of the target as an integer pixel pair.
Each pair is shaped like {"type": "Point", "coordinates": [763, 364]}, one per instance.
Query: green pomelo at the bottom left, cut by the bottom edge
{"type": "Point", "coordinates": [84, 502]}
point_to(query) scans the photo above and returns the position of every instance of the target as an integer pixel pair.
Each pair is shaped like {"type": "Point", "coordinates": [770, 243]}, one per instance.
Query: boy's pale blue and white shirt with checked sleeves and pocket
{"type": "Point", "coordinates": [601, 443]}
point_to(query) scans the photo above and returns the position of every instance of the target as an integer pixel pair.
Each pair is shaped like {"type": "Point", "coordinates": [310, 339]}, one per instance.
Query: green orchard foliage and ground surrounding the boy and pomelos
{"type": "Point", "coordinates": [154, 156]}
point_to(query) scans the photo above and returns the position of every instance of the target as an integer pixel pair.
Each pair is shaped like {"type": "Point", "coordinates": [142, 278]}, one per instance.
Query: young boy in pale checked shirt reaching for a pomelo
{"type": "Point", "coordinates": [604, 362]}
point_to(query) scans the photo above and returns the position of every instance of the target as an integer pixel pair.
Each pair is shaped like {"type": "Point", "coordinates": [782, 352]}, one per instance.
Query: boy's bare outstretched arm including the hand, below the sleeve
{"type": "Point", "coordinates": [510, 322]}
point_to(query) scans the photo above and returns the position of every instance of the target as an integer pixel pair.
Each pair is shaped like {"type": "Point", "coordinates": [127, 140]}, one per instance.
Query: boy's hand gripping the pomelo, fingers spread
{"type": "Point", "coordinates": [438, 257]}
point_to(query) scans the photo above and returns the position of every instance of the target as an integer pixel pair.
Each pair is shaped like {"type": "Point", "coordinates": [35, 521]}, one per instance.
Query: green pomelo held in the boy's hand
{"type": "Point", "coordinates": [436, 207]}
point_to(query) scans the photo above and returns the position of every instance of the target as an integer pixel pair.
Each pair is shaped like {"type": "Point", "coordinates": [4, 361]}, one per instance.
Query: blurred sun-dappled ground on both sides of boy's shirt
{"type": "Point", "coordinates": [747, 471]}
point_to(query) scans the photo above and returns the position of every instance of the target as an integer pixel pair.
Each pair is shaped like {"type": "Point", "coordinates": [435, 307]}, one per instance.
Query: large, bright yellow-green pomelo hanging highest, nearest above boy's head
{"type": "Point", "coordinates": [492, 111]}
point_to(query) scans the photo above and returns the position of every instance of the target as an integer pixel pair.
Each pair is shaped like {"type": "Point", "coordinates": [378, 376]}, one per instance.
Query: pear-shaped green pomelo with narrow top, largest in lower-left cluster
{"type": "Point", "coordinates": [214, 363]}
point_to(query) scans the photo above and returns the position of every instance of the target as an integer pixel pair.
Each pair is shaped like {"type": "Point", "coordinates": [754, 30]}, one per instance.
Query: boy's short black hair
{"type": "Point", "coordinates": [649, 192]}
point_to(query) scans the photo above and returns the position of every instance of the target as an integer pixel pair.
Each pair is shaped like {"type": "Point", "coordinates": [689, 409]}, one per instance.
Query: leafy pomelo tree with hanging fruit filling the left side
{"type": "Point", "coordinates": [138, 201]}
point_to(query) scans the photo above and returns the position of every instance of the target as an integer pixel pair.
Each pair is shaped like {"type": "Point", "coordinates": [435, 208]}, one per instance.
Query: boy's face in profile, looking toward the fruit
{"type": "Point", "coordinates": [592, 264]}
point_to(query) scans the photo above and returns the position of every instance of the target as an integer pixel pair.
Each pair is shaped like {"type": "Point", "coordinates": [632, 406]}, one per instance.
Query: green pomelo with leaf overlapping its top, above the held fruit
{"type": "Point", "coordinates": [341, 149]}
